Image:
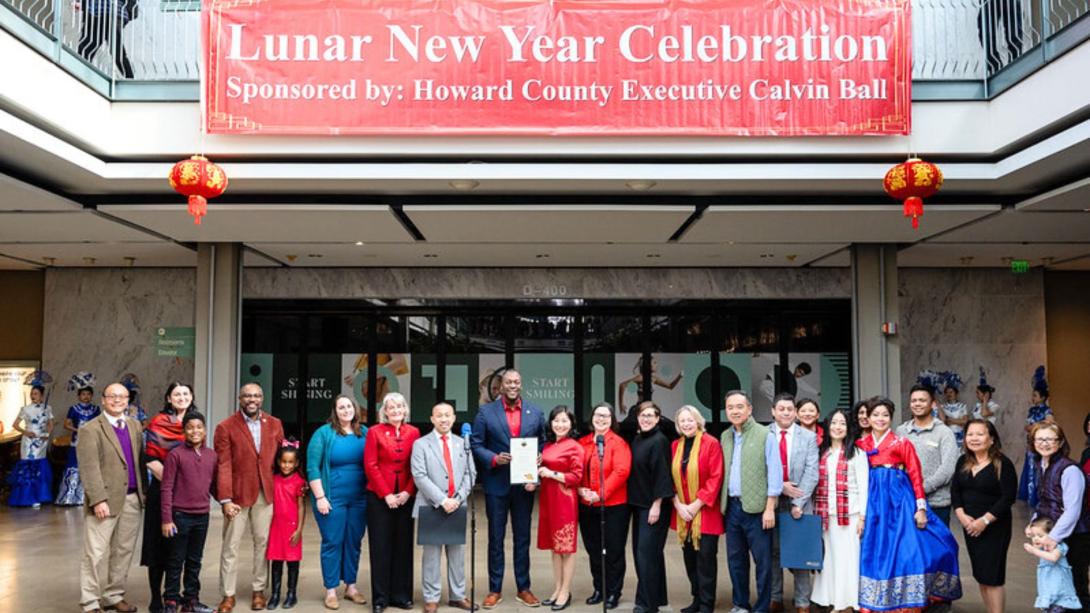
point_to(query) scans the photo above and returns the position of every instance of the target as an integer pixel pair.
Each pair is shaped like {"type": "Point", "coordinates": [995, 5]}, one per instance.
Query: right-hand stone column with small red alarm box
{"type": "Point", "coordinates": [877, 355]}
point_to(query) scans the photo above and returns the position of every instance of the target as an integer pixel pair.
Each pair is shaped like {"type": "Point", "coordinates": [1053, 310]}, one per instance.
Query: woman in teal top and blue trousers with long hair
{"type": "Point", "coordinates": [335, 470]}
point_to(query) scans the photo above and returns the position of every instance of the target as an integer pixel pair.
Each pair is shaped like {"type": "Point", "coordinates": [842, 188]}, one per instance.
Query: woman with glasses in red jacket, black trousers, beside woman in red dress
{"type": "Point", "coordinates": [616, 465]}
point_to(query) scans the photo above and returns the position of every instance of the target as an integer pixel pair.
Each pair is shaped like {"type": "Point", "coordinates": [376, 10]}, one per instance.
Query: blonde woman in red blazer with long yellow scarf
{"type": "Point", "coordinates": [697, 468]}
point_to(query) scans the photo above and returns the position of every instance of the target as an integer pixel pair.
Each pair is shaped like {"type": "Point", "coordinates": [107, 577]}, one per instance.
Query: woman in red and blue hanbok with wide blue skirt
{"type": "Point", "coordinates": [910, 557]}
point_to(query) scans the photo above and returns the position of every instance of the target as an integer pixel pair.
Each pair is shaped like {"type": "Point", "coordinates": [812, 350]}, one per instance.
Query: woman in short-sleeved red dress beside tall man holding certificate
{"type": "Point", "coordinates": [562, 472]}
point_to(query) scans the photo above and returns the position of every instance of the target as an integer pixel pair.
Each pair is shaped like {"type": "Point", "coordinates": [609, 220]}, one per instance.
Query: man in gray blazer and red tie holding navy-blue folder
{"type": "Point", "coordinates": [798, 452]}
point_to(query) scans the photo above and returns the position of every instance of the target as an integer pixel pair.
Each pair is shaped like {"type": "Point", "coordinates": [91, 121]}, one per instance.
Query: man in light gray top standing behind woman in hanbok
{"type": "Point", "coordinates": [937, 447]}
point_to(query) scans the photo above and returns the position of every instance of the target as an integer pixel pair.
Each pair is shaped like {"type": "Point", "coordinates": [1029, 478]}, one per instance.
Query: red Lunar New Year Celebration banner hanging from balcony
{"type": "Point", "coordinates": [562, 67]}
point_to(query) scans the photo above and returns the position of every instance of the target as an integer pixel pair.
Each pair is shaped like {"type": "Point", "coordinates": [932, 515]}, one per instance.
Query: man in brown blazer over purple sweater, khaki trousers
{"type": "Point", "coordinates": [110, 454]}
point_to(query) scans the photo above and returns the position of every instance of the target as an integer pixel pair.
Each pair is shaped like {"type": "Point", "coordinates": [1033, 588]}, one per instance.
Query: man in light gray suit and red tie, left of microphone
{"type": "Point", "coordinates": [444, 475]}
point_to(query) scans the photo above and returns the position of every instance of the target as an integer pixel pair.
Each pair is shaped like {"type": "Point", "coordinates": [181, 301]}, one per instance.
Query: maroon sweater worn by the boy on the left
{"type": "Point", "coordinates": [189, 482]}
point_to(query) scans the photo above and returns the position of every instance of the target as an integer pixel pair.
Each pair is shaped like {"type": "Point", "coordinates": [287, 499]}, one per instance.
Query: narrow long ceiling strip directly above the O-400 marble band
{"type": "Point", "coordinates": [544, 255]}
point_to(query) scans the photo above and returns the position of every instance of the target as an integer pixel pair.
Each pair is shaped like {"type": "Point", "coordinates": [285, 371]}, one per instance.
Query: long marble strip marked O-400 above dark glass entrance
{"type": "Point", "coordinates": [600, 284]}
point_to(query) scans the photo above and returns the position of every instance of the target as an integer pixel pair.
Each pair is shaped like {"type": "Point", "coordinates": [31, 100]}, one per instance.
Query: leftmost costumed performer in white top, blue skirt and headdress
{"type": "Point", "coordinates": [32, 480]}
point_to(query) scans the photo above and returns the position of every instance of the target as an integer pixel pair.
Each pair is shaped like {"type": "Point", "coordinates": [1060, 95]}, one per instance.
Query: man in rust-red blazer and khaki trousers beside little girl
{"type": "Point", "coordinates": [246, 446]}
